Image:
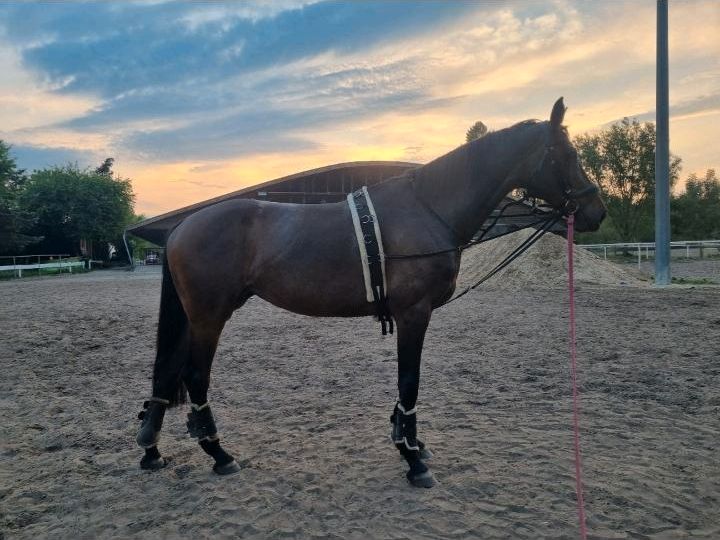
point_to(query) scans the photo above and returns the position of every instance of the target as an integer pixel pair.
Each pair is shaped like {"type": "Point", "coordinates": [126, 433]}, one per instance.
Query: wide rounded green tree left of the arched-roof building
{"type": "Point", "coordinates": [73, 205]}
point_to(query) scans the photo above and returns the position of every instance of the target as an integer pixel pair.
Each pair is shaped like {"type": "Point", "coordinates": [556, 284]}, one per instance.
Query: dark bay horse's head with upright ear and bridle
{"type": "Point", "coordinates": [560, 179]}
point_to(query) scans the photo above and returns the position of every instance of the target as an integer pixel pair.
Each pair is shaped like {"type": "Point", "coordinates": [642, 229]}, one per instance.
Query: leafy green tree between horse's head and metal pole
{"type": "Point", "coordinates": [621, 160]}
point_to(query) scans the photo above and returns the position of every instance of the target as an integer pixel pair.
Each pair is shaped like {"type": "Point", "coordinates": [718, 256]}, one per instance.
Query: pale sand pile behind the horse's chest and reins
{"type": "Point", "coordinates": [543, 265]}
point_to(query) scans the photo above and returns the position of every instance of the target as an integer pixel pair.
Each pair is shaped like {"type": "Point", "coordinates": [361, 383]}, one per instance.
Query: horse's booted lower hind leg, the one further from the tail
{"type": "Point", "coordinates": [196, 375]}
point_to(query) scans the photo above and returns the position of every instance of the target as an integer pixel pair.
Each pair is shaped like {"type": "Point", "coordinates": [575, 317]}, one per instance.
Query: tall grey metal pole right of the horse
{"type": "Point", "coordinates": [662, 152]}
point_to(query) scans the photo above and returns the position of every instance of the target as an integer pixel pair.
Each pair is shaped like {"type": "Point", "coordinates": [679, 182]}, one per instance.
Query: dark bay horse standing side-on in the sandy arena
{"type": "Point", "coordinates": [304, 258]}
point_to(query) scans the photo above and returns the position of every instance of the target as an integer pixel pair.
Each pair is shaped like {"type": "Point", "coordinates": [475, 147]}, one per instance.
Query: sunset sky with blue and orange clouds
{"type": "Point", "coordinates": [194, 100]}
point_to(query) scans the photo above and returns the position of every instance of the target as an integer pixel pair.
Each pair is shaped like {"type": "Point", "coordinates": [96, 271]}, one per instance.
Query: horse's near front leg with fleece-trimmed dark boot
{"type": "Point", "coordinates": [411, 327]}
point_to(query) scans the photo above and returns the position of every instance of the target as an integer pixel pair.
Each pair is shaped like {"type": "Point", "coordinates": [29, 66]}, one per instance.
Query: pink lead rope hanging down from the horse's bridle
{"type": "Point", "coordinates": [573, 365]}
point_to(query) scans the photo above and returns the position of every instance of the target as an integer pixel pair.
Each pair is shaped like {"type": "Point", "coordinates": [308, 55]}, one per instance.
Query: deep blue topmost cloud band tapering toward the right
{"type": "Point", "coordinates": [107, 49]}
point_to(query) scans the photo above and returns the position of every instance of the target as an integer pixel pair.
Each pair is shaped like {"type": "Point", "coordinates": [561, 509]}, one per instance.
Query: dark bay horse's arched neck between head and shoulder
{"type": "Point", "coordinates": [466, 185]}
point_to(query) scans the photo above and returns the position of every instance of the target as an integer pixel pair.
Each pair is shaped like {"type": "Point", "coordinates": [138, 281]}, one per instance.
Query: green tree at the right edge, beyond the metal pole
{"type": "Point", "coordinates": [696, 212]}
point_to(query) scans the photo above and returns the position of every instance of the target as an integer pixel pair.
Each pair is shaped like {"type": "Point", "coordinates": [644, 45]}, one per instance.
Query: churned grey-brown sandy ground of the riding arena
{"type": "Point", "coordinates": [304, 403]}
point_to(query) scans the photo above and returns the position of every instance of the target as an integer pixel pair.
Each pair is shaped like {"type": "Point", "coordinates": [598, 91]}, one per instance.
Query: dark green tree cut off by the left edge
{"type": "Point", "coordinates": [14, 222]}
